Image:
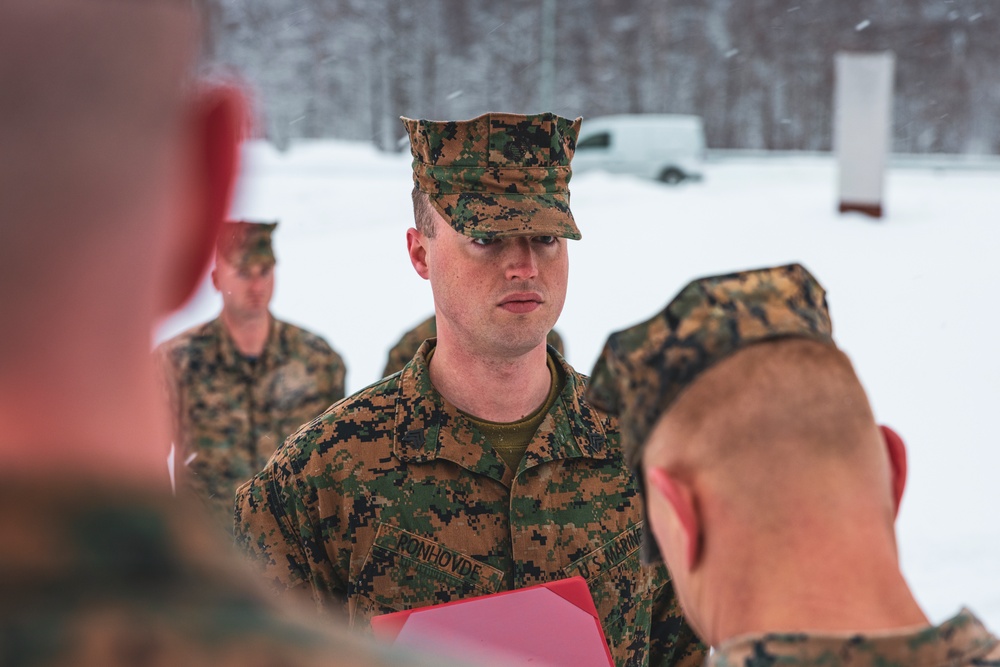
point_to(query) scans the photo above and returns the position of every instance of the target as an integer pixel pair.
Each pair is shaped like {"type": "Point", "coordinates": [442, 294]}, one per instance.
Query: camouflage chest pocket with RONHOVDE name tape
{"type": "Point", "coordinates": [404, 571]}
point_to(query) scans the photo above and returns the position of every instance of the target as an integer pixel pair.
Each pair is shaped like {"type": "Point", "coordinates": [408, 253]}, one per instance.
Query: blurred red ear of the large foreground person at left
{"type": "Point", "coordinates": [216, 130]}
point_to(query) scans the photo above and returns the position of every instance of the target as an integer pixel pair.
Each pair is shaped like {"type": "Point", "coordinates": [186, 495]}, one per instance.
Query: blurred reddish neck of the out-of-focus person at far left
{"type": "Point", "coordinates": [97, 416]}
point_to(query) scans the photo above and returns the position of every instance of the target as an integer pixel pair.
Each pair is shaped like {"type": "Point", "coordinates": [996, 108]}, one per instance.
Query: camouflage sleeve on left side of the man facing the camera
{"type": "Point", "coordinates": [272, 528]}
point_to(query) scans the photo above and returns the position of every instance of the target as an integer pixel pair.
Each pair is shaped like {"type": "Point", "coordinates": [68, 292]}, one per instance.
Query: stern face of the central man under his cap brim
{"type": "Point", "coordinates": [497, 297]}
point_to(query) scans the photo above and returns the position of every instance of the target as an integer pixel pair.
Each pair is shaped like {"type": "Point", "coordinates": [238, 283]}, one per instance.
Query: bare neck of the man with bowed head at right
{"type": "Point", "coordinates": [824, 581]}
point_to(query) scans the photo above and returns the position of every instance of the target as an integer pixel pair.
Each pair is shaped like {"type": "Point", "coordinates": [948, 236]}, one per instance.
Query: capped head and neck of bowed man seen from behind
{"type": "Point", "coordinates": [769, 488]}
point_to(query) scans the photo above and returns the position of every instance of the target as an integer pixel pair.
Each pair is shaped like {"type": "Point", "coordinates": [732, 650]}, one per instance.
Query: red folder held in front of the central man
{"type": "Point", "coordinates": [550, 625]}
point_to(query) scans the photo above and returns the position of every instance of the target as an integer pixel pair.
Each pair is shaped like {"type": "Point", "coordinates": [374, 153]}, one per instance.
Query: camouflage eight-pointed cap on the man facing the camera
{"type": "Point", "coordinates": [499, 174]}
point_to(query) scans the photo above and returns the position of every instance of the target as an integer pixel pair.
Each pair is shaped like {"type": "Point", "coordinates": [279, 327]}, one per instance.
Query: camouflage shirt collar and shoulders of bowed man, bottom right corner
{"type": "Point", "coordinates": [959, 642]}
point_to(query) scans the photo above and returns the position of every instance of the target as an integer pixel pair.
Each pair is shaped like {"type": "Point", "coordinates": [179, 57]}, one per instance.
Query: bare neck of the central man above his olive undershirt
{"type": "Point", "coordinates": [498, 390]}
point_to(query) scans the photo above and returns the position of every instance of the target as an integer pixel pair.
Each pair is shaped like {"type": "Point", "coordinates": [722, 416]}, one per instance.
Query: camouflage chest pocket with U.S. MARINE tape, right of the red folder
{"type": "Point", "coordinates": [624, 593]}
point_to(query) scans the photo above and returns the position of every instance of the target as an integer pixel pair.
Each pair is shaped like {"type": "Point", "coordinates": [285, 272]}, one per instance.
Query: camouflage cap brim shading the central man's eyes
{"type": "Point", "coordinates": [485, 215]}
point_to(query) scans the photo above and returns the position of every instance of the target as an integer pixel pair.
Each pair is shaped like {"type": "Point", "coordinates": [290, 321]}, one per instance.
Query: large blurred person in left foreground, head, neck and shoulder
{"type": "Point", "coordinates": [115, 174]}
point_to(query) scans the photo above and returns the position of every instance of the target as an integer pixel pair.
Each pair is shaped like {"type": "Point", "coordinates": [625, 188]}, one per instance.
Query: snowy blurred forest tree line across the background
{"type": "Point", "coordinates": [760, 72]}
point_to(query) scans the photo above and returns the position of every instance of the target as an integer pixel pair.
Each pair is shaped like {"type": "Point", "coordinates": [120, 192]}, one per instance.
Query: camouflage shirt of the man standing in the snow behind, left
{"type": "Point", "coordinates": [231, 413]}
